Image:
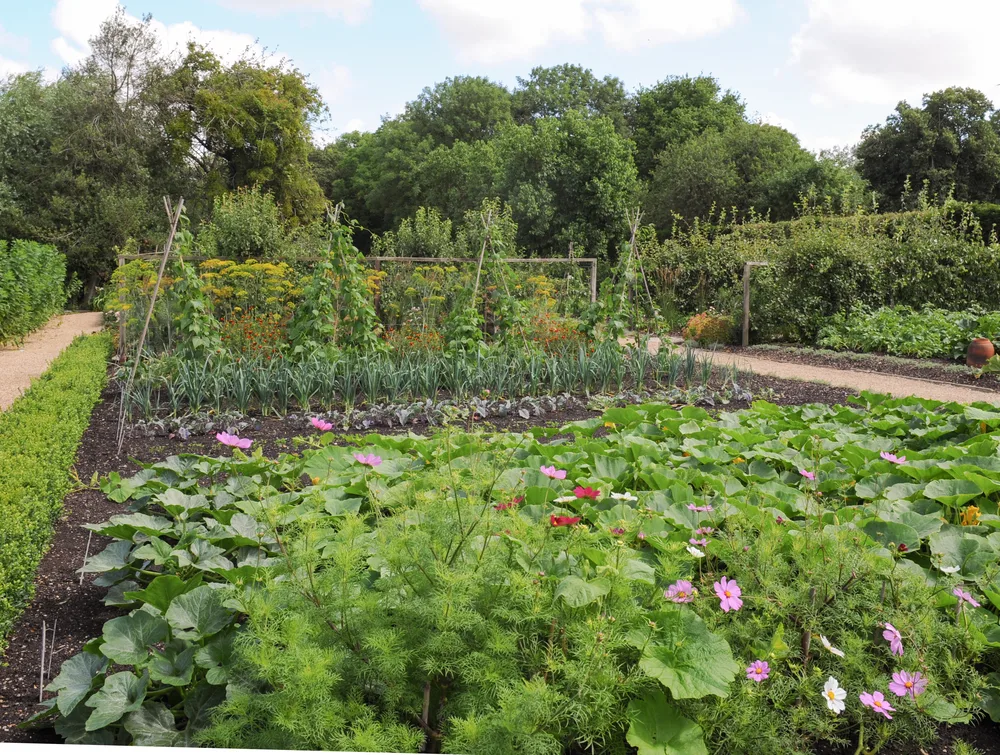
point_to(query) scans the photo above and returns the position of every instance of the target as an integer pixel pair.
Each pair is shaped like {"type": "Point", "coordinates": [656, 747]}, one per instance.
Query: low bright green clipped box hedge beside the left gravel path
{"type": "Point", "coordinates": [39, 435]}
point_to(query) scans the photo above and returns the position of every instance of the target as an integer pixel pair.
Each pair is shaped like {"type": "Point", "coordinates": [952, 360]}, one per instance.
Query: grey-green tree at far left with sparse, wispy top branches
{"type": "Point", "coordinates": [80, 159]}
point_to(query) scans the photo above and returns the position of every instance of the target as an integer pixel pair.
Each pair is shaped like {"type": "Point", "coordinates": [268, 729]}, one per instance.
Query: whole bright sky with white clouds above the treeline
{"type": "Point", "coordinates": [824, 69]}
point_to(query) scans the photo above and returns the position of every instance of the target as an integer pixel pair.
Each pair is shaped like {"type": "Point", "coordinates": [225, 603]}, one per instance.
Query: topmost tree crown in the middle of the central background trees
{"type": "Point", "coordinates": [551, 92]}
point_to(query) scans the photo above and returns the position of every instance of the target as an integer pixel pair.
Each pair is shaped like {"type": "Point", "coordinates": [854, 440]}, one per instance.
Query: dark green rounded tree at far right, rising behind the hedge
{"type": "Point", "coordinates": [949, 144]}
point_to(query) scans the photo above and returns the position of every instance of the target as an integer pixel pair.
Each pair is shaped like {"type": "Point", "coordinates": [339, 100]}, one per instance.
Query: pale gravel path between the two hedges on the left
{"type": "Point", "coordinates": [19, 366]}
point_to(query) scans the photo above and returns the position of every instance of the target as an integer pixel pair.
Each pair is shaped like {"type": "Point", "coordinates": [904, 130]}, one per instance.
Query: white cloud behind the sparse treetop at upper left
{"type": "Point", "coordinates": [77, 21]}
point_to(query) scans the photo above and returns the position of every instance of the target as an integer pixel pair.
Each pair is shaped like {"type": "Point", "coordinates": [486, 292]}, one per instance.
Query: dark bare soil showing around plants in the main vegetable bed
{"type": "Point", "coordinates": [78, 612]}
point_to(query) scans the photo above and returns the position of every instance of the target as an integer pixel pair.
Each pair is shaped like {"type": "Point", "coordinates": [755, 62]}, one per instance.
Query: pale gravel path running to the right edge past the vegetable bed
{"type": "Point", "coordinates": [858, 380]}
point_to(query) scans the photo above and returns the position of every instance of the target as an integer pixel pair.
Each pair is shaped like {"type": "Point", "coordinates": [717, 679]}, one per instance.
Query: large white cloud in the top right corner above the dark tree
{"type": "Point", "coordinates": [859, 51]}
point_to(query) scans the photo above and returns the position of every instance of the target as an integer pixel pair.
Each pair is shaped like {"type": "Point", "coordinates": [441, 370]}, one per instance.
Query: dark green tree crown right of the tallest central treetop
{"type": "Point", "coordinates": [676, 110]}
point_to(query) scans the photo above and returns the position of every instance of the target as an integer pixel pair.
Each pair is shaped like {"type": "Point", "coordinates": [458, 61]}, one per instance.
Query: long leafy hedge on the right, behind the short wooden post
{"type": "Point", "coordinates": [819, 266]}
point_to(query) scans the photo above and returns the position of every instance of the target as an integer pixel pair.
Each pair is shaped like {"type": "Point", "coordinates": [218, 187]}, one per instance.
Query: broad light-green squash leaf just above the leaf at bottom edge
{"type": "Point", "coordinates": [686, 658]}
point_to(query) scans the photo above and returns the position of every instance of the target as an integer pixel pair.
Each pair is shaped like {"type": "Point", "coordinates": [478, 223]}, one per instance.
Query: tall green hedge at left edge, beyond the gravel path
{"type": "Point", "coordinates": [31, 287]}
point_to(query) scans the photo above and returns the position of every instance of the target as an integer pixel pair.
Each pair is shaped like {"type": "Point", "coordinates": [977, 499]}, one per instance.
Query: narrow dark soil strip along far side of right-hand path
{"type": "Point", "coordinates": [928, 369]}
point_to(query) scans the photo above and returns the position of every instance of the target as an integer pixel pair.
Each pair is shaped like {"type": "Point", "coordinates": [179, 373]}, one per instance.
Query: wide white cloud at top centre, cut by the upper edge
{"type": "Point", "coordinates": [490, 31]}
